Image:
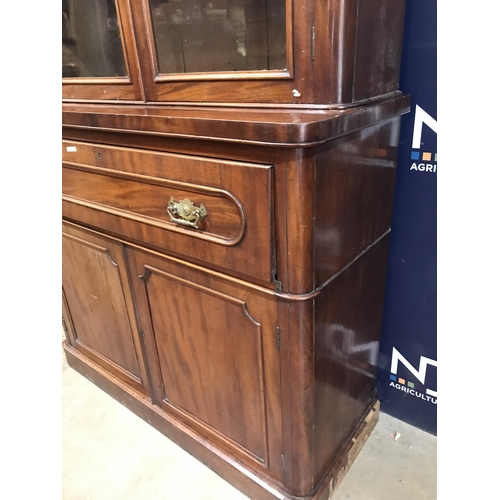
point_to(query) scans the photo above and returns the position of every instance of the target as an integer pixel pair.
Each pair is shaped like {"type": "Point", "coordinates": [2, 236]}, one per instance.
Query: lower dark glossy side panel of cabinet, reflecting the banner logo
{"type": "Point", "coordinates": [348, 318]}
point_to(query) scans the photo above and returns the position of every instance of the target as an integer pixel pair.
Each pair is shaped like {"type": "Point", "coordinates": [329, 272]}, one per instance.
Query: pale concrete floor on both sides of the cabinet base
{"type": "Point", "coordinates": [111, 454]}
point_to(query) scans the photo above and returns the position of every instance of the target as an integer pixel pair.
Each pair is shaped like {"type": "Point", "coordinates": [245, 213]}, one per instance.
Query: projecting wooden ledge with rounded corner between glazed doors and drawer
{"type": "Point", "coordinates": [256, 126]}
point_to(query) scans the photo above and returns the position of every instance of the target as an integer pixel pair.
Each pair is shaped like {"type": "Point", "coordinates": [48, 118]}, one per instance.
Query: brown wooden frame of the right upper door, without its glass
{"type": "Point", "coordinates": [226, 87]}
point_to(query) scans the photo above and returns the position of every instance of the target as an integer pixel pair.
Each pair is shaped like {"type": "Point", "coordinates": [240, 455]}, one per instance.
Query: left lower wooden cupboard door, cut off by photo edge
{"type": "Point", "coordinates": [98, 306]}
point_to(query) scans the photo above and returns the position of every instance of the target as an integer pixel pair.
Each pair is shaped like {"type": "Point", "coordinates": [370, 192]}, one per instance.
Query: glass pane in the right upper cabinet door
{"type": "Point", "coordinates": [219, 35]}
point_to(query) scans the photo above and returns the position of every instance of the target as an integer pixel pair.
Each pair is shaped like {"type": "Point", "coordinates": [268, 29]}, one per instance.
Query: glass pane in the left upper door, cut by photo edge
{"type": "Point", "coordinates": [91, 39]}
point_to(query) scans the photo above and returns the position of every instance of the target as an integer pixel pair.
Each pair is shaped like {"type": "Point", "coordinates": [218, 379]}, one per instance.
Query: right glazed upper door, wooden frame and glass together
{"type": "Point", "coordinates": [225, 51]}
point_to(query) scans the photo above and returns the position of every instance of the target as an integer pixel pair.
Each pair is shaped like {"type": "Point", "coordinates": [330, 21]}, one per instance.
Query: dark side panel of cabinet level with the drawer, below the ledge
{"type": "Point", "coordinates": [354, 179]}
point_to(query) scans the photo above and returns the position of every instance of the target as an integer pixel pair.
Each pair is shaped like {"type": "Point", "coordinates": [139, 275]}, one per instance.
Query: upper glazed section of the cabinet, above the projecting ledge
{"type": "Point", "coordinates": [325, 53]}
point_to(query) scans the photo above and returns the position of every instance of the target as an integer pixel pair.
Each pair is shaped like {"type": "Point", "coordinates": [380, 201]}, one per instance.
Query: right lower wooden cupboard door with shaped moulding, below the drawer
{"type": "Point", "coordinates": [211, 347]}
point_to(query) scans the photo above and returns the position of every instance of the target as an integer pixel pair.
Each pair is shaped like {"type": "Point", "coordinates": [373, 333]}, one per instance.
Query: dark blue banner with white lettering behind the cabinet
{"type": "Point", "coordinates": [407, 377]}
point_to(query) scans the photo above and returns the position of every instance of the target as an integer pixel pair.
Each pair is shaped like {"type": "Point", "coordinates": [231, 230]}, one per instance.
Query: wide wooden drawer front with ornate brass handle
{"type": "Point", "coordinates": [212, 211]}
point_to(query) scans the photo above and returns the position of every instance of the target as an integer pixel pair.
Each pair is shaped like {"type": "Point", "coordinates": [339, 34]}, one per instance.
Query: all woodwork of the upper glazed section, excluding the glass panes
{"type": "Point", "coordinates": [337, 52]}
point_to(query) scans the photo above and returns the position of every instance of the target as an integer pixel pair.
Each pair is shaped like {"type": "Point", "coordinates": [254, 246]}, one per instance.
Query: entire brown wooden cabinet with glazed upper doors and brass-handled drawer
{"type": "Point", "coordinates": [228, 173]}
